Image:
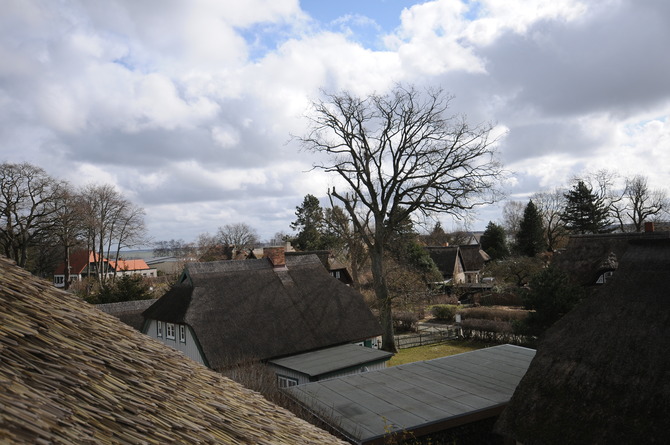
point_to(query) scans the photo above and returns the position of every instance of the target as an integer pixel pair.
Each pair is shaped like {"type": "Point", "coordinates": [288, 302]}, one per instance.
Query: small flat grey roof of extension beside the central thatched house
{"type": "Point", "coordinates": [325, 361]}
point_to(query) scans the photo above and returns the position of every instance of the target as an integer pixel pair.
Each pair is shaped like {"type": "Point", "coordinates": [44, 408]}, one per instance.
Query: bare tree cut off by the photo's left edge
{"type": "Point", "coordinates": [27, 195]}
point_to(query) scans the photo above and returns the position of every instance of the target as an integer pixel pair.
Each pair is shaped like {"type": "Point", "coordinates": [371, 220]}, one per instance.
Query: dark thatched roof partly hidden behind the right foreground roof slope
{"type": "Point", "coordinates": [586, 257]}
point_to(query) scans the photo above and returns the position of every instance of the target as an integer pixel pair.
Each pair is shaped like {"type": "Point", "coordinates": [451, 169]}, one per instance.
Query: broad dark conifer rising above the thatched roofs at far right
{"type": "Point", "coordinates": [585, 212]}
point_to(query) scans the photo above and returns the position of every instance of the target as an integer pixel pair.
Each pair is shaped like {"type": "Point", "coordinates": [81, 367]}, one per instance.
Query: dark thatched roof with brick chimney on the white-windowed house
{"type": "Point", "coordinates": [248, 309]}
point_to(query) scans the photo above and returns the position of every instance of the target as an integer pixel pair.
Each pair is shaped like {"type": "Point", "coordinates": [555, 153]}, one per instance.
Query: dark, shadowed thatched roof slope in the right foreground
{"type": "Point", "coordinates": [602, 373]}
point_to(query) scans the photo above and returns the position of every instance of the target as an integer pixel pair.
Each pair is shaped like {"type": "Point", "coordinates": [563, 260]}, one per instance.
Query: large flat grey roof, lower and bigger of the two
{"type": "Point", "coordinates": [368, 406]}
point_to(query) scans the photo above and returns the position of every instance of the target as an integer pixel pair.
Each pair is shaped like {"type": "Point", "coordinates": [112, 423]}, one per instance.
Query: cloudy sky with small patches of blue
{"type": "Point", "coordinates": [188, 108]}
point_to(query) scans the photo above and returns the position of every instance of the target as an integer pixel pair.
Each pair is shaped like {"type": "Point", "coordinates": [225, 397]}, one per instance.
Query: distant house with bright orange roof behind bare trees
{"type": "Point", "coordinates": [85, 263]}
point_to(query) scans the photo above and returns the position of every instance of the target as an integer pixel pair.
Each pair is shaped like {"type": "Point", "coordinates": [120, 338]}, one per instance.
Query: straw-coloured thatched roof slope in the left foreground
{"type": "Point", "coordinates": [72, 374]}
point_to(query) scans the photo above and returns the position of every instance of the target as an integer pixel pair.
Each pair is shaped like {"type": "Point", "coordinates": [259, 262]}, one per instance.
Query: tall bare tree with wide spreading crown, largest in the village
{"type": "Point", "coordinates": [399, 154]}
